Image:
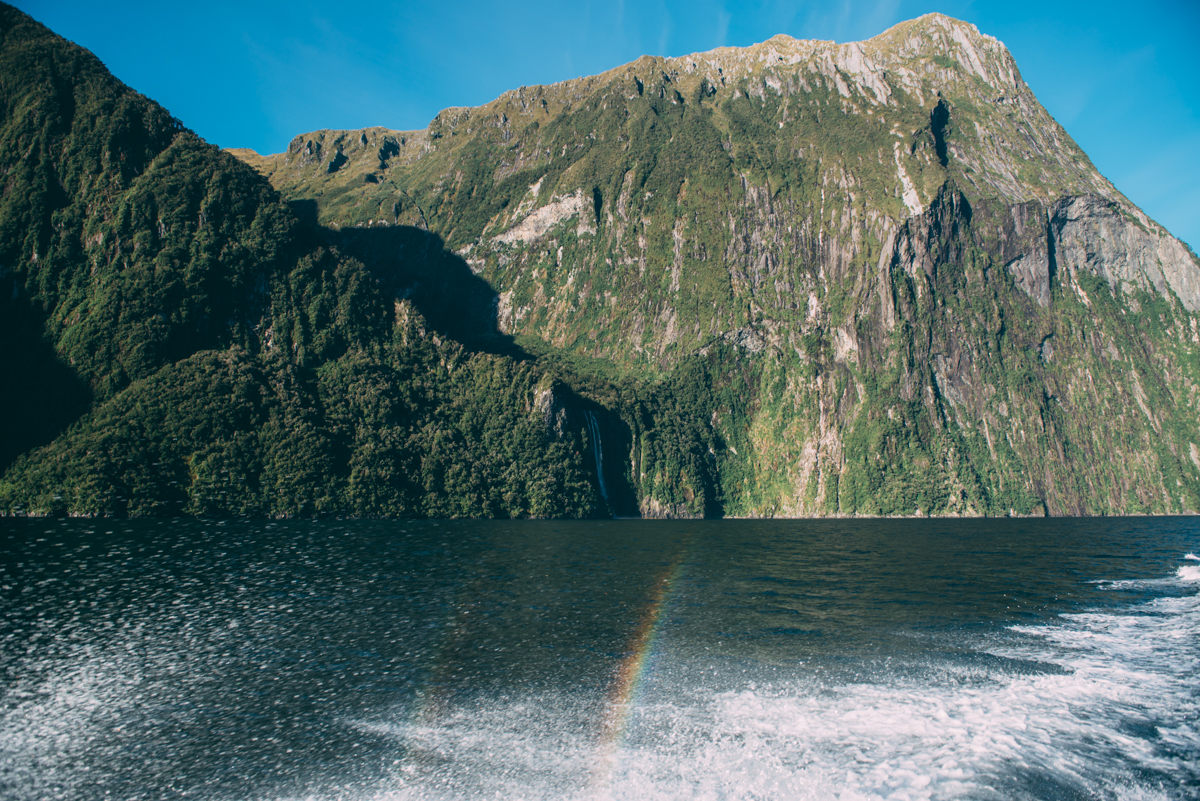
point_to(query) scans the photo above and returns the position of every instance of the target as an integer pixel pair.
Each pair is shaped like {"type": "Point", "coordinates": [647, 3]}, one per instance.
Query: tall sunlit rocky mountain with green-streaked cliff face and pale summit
{"type": "Point", "coordinates": [925, 297]}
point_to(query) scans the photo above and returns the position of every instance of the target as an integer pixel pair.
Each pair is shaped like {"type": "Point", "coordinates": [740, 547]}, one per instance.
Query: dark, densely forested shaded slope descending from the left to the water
{"type": "Point", "coordinates": [177, 341]}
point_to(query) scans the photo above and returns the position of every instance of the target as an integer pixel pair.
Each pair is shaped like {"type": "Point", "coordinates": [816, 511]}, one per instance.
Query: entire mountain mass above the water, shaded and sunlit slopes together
{"type": "Point", "coordinates": [800, 279]}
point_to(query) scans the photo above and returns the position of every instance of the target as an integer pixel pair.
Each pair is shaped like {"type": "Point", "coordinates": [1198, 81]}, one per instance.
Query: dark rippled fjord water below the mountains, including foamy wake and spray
{"type": "Point", "coordinates": [595, 660]}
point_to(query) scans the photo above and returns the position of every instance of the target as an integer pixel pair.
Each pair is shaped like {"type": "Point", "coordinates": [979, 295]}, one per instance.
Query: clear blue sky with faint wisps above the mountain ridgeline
{"type": "Point", "coordinates": [1123, 79]}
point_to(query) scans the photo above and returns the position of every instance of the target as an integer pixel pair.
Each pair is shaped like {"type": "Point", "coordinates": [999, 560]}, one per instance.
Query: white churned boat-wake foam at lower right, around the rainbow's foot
{"type": "Point", "coordinates": [1093, 706]}
